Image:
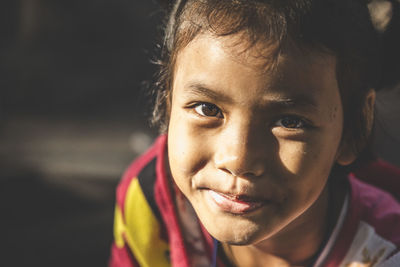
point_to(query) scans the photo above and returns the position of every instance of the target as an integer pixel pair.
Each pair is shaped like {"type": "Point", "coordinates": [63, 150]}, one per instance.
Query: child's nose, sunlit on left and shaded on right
{"type": "Point", "coordinates": [241, 150]}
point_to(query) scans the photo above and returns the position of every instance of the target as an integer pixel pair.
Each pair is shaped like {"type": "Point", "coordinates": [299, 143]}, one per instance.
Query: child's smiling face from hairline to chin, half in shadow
{"type": "Point", "coordinates": [252, 150]}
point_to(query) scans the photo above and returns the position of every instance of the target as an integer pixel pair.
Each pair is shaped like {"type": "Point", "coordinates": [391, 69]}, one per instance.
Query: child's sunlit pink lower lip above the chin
{"type": "Point", "coordinates": [233, 206]}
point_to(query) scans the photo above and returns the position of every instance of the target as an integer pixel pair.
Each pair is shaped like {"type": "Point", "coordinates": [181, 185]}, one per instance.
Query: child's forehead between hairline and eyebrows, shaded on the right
{"type": "Point", "coordinates": [229, 62]}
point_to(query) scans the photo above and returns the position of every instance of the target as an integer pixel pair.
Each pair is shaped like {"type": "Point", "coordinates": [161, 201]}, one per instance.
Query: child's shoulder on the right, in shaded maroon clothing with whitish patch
{"type": "Point", "coordinates": [371, 227]}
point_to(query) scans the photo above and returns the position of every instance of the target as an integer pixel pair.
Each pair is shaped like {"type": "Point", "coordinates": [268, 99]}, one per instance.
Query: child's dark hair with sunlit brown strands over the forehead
{"type": "Point", "coordinates": [340, 27]}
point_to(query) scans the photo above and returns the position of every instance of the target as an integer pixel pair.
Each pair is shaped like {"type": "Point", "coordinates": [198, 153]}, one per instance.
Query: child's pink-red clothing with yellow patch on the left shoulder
{"type": "Point", "coordinates": [156, 226]}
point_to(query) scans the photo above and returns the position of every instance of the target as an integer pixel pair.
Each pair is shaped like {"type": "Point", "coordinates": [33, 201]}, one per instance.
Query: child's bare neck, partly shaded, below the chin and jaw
{"type": "Point", "coordinates": [300, 242]}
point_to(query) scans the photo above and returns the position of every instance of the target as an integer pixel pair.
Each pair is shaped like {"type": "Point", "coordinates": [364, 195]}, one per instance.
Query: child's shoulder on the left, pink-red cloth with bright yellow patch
{"type": "Point", "coordinates": [140, 237]}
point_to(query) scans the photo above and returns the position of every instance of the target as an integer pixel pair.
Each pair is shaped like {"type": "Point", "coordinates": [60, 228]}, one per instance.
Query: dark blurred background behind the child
{"type": "Point", "coordinates": [73, 114]}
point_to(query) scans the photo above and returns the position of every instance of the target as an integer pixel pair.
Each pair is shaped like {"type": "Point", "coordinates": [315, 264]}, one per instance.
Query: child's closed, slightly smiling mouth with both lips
{"type": "Point", "coordinates": [235, 204]}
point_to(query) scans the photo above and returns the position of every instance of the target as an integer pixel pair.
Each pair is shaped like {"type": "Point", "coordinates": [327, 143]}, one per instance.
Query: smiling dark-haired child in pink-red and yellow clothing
{"type": "Point", "coordinates": [265, 108]}
